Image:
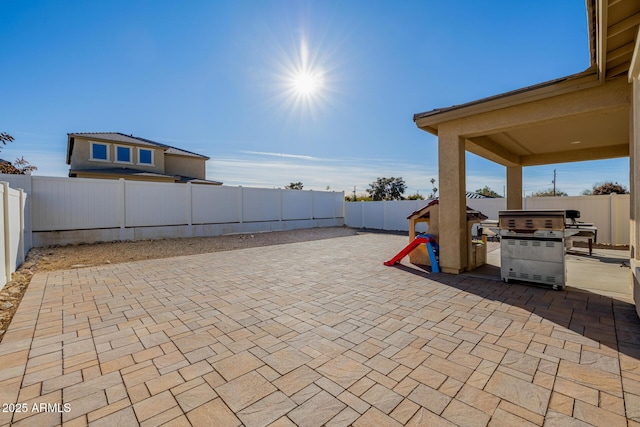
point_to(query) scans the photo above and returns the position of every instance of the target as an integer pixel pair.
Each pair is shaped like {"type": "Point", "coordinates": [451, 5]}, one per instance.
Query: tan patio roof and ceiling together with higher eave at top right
{"type": "Point", "coordinates": [584, 116]}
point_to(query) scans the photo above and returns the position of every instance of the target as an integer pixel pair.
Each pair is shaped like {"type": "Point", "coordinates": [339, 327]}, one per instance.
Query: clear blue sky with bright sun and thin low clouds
{"type": "Point", "coordinates": [218, 78]}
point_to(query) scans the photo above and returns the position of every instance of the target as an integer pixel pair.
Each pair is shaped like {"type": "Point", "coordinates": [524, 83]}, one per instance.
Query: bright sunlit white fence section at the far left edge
{"type": "Point", "coordinates": [12, 249]}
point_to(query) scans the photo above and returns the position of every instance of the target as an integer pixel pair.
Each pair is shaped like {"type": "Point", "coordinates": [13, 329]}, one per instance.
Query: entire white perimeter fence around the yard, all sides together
{"type": "Point", "coordinates": [58, 211]}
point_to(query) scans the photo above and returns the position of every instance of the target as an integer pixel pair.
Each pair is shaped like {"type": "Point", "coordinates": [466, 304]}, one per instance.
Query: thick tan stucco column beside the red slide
{"type": "Point", "coordinates": [453, 213]}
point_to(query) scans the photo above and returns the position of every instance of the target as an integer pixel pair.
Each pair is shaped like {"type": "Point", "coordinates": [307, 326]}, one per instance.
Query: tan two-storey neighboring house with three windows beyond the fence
{"type": "Point", "coordinates": [114, 155]}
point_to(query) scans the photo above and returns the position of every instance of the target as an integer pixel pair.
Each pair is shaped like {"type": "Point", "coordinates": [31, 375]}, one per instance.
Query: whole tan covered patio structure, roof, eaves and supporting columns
{"type": "Point", "coordinates": [591, 115]}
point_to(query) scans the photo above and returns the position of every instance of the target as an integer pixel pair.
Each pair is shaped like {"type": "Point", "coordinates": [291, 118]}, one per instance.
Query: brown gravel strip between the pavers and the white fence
{"type": "Point", "coordinates": [79, 256]}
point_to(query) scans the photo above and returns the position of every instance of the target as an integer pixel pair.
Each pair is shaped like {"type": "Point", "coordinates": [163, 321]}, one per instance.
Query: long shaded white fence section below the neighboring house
{"type": "Point", "coordinates": [75, 210]}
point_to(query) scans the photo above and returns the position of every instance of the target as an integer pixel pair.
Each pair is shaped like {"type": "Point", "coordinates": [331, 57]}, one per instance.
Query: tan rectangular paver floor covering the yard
{"type": "Point", "coordinates": [311, 334]}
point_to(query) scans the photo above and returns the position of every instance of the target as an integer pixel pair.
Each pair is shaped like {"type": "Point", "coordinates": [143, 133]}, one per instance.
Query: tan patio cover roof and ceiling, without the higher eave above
{"type": "Point", "coordinates": [576, 118]}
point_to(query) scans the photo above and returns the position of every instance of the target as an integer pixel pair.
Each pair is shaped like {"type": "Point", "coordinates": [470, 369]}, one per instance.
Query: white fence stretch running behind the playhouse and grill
{"type": "Point", "coordinates": [609, 213]}
